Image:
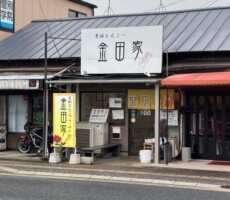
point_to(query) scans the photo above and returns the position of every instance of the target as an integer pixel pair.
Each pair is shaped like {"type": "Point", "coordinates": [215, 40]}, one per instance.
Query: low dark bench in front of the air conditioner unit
{"type": "Point", "coordinates": [114, 148]}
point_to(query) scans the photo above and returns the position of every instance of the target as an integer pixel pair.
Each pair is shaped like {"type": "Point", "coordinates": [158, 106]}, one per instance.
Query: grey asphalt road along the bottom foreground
{"type": "Point", "coordinates": [25, 187]}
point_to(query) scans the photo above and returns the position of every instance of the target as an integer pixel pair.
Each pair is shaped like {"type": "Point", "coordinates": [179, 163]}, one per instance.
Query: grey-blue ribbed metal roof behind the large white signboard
{"type": "Point", "coordinates": [184, 31]}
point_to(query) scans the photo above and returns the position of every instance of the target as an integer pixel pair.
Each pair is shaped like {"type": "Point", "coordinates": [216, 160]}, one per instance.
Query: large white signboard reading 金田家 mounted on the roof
{"type": "Point", "coordinates": [122, 50]}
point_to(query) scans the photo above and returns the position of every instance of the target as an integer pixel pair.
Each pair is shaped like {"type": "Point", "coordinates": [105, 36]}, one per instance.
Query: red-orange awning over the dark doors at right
{"type": "Point", "coordinates": [198, 79]}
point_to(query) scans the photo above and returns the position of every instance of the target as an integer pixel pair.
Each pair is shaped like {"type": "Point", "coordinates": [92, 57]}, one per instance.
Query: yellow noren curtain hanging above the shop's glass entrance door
{"type": "Point", "coordinates": [145, 99]}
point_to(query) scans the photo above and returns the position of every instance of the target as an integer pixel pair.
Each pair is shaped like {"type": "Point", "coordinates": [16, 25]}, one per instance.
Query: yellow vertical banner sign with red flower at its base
{"type": "Point", "coordinates": [64, 119]}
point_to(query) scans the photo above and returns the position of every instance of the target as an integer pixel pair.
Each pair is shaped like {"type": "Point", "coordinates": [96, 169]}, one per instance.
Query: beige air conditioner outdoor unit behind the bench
{"type": "Point", "coordinates": [98, 133]}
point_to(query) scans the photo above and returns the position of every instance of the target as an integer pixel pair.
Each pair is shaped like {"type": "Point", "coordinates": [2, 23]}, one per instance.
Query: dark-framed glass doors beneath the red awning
{"type": "Point", "coordinates": [208, 125]}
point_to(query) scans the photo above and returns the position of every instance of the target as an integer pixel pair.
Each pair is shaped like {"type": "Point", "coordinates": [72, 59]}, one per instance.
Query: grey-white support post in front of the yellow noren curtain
{"type": "Point", "coordinates": [157, 122]}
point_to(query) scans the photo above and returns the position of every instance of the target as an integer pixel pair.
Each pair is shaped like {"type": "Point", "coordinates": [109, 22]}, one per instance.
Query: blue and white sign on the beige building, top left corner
{"type": "Point", "coordinates": [7, 14]}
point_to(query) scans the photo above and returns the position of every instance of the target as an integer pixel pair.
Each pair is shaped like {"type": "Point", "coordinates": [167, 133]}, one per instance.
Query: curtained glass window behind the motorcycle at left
{"type": "Point", "coordinates": [17, 112]}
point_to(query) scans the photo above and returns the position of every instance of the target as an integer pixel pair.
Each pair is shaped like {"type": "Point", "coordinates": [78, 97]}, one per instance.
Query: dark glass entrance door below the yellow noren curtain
{"type": "Point", "coordinates": [141, 128]}
